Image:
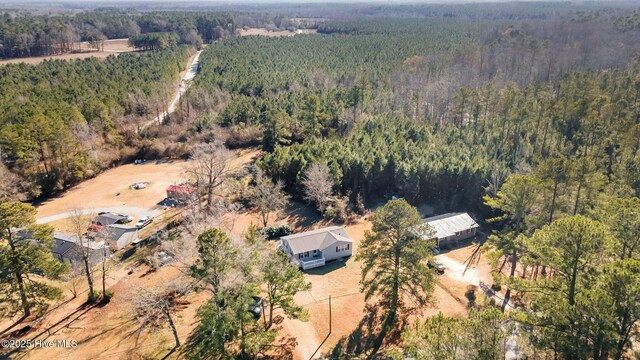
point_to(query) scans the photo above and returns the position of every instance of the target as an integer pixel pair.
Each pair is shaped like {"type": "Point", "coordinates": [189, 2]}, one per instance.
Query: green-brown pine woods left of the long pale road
{"type": "Point", "coordinates": [58, 118]}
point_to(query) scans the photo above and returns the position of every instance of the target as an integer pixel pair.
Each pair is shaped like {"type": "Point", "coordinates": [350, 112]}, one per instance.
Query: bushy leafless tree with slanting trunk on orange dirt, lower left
{"type": "Point", "coordinates": [154, 307]}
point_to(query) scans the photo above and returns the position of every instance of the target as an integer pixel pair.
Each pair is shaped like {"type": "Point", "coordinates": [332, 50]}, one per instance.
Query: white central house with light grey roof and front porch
{"type": "Point", "coordinates": [313, 248]}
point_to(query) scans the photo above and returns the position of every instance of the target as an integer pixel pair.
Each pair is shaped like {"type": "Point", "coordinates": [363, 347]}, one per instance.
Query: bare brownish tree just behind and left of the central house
{"type": "Point", "coordinates": [267, 196]}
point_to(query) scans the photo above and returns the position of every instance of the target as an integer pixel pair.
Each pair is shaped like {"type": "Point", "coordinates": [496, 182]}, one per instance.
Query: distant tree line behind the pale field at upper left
{"type": "Point", "coordinates": [26, 35]}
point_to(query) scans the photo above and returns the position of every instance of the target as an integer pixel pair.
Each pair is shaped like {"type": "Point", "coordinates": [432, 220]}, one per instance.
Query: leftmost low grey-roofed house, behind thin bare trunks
{"type": "Point", "coordinates": [68, 249]}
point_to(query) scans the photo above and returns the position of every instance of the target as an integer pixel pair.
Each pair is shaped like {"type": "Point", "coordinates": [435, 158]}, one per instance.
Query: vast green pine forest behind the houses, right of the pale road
{"type": "Point", "coordinates": [312, 97]}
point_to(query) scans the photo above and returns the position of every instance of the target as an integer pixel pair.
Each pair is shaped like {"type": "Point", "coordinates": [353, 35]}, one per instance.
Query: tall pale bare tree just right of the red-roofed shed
{"type": "Point", "coordinates": [210, 168]}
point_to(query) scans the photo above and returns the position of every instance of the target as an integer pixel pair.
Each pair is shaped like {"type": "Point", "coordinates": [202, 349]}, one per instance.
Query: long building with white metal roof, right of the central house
{"type": "Point", "coordinates": [451, 228]}
